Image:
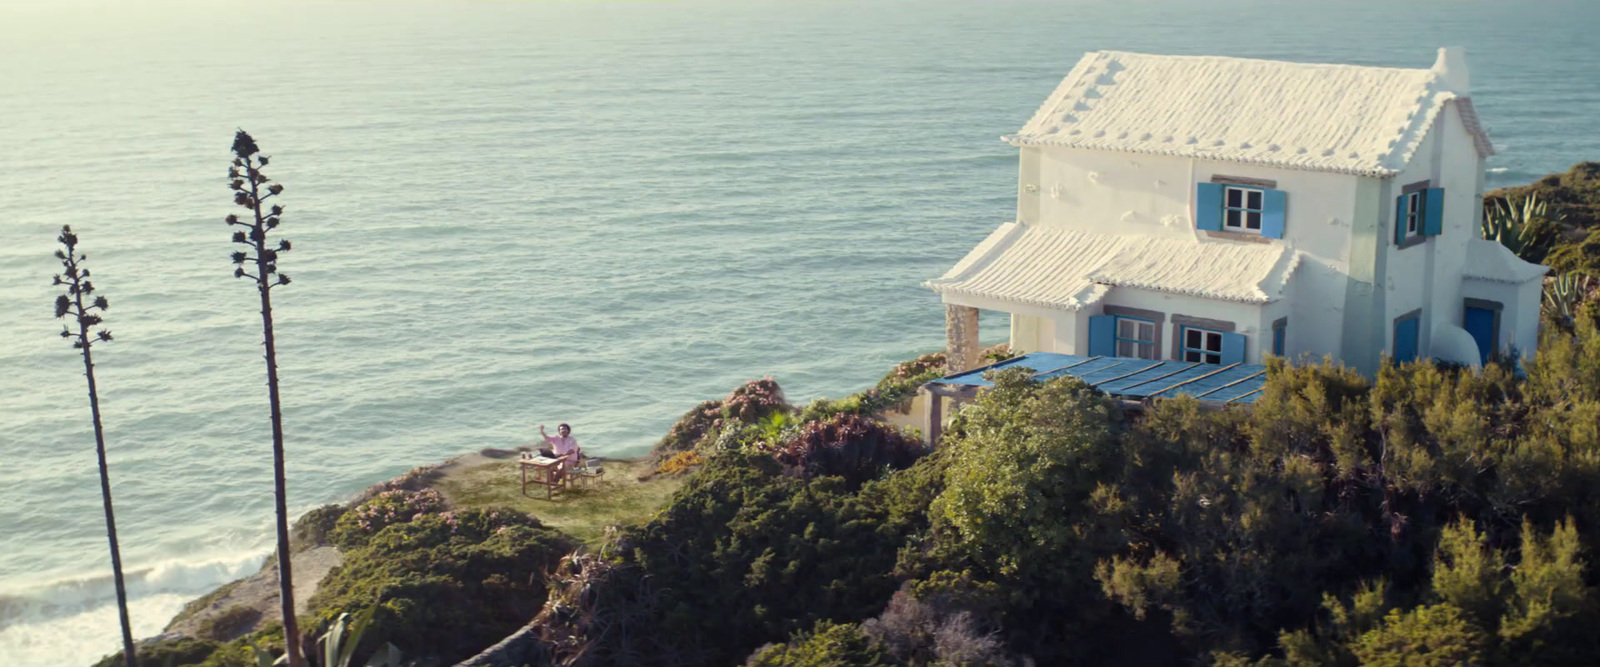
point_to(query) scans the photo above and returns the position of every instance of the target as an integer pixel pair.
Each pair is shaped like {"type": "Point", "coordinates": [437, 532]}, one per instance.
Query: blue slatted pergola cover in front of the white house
{"type": "Point", "coordinates": [1135, 378]}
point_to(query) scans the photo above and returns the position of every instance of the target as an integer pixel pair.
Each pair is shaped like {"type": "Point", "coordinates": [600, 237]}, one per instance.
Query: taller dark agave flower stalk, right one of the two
{"type": "Point", "coordinates": [260, 263]}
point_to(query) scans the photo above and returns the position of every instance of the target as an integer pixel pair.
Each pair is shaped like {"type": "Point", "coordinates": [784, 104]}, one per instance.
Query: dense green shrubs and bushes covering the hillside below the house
{"type": "Point", "coordinates": [1423, 517]}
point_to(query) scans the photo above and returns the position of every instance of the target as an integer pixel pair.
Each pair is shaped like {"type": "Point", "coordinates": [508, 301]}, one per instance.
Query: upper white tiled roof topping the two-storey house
{"type": "Point", "coordinates": [1327, 118]}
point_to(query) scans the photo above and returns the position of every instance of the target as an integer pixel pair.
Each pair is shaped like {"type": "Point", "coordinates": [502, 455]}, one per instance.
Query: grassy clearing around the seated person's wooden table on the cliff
{"type": "Point", "coordinates": [580, 513]}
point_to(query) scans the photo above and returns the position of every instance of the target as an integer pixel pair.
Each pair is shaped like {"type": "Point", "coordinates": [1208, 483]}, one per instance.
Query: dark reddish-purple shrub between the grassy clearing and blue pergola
{"type": "Point", "coordinates": [852, 447]}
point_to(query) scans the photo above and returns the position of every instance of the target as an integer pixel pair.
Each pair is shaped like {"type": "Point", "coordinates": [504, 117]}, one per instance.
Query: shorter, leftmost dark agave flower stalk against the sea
{"type": "Point", "coordinates": [86, 311]}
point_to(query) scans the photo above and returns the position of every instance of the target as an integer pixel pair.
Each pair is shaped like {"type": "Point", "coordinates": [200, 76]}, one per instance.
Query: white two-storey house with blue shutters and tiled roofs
{"type": "Point", "coordinates": [1222, 209]}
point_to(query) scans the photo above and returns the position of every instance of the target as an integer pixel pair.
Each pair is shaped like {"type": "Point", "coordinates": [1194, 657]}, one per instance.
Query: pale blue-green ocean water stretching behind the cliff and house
{"type": "Point", "coordinates": [511, 215]}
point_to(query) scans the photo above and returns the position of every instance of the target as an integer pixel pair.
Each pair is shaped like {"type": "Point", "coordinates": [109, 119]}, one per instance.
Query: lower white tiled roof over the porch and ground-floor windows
{"type": "Point", "coordinates": [1066, 270]}
